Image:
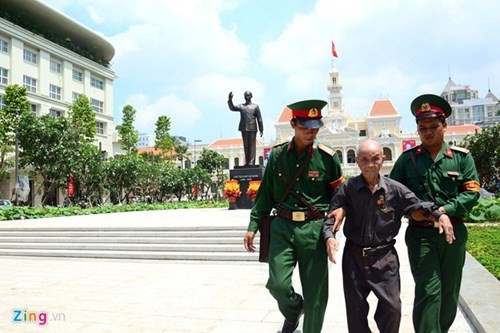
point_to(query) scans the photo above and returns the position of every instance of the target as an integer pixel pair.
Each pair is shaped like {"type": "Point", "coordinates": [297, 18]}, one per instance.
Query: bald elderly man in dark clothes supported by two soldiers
{"type": "Point", "coordinates": [373, 206]}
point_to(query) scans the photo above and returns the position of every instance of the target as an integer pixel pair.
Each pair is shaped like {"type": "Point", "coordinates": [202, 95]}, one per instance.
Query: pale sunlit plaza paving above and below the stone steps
{"type": "Point", "coordinates": [108, 295]}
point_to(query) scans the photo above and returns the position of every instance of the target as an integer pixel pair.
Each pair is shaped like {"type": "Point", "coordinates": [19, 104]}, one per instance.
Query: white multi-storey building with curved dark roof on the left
{"type": "Point", "coordinates": [56, 59]}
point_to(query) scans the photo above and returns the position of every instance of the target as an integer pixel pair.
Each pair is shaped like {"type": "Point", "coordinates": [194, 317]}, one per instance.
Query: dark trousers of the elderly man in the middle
{"type": "Point", "coordinates": [378, 274]}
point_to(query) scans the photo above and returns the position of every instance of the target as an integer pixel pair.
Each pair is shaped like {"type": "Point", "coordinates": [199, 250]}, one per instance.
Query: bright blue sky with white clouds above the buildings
{"type": "Point", "coordinates": [181, 58]}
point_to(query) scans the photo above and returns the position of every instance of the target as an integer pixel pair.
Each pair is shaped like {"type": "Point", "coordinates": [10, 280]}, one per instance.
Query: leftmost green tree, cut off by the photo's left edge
{"type": "Point", "coordinates": [16, 105]}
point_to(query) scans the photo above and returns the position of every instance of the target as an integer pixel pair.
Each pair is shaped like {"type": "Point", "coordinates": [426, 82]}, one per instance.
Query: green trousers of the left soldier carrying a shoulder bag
{"type": "Point", "coordinates": [302, 243]}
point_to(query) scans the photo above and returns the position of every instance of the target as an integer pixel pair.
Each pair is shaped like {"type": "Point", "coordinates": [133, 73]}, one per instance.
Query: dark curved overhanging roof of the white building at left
{"type": "Point", "coordinates": [37, 13]}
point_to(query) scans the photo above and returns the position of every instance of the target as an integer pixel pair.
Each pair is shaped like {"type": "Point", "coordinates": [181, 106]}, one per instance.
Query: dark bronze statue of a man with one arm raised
{"type": "Point", "coordinates": [249, 118]}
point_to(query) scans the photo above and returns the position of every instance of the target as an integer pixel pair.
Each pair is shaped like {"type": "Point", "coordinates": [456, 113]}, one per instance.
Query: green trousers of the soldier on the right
{"type": "Point", "coordinates": [437, 270]}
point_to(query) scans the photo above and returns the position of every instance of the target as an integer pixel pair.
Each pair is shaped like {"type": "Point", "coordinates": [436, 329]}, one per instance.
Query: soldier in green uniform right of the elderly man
{"type": "Point", "coordinates": [437, 172]}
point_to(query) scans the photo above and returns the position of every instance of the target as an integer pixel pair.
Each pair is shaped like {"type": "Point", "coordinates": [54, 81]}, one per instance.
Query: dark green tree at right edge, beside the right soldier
{"type": "Point", "coordinates": [485, 149]}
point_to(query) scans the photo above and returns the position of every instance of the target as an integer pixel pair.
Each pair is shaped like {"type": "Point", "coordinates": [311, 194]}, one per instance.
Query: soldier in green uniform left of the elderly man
{"type": "Point", "coordinates": [313, 171]}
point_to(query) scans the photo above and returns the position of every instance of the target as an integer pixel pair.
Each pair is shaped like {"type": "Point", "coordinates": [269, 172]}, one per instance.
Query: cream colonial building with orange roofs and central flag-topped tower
{"type": "Point", "coordinates": [344, 133]}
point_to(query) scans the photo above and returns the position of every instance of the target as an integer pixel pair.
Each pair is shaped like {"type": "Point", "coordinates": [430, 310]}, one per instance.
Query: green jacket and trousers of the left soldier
{"type": "Point", "coordinates": [299, 242]}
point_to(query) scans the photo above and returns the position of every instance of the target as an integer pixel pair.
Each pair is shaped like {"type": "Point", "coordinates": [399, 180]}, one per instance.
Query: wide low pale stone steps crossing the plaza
{"type": "Point", "coordinates": [182, 243]}
